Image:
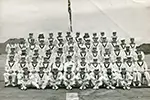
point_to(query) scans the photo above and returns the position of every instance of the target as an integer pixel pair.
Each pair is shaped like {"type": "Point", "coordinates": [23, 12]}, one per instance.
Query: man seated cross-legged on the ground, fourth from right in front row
{"type": "Point", "coordinates": [82, 78]}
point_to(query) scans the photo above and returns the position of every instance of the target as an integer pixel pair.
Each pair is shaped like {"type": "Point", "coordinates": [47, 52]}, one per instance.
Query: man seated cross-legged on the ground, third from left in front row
{"type": "Point", "coordinates": [55, 78]}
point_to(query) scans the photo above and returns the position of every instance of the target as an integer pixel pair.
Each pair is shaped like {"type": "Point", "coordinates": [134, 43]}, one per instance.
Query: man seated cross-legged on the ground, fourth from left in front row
{"type": "Point", "coordinates": [69, 78]}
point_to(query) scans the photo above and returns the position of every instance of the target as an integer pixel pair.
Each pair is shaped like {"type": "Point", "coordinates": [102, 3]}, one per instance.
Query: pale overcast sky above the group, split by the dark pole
{"type": "Point", "coordinates": [127, 17]}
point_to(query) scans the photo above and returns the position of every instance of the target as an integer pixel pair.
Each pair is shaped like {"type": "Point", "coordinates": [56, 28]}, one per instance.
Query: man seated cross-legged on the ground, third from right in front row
{"type": "Point", "coordinates": [97, 78]}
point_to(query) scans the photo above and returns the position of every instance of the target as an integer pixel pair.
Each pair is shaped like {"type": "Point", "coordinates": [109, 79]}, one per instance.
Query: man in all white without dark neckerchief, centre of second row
{"type": "Point", "coordinates": [69, 63]}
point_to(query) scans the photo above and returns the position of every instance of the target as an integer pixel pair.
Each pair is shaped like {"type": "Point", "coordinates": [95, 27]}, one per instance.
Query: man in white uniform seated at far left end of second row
{"type": "Point", "coordinates": [10, 71]}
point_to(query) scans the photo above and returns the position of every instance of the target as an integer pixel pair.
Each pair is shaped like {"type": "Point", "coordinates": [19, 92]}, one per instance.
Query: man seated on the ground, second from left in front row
{"type": "Point", "coordinates": [42, 78]}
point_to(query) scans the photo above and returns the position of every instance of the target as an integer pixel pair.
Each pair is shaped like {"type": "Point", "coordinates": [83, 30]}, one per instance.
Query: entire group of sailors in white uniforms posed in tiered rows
{"type": "Point", "coordinates": [91, 60]}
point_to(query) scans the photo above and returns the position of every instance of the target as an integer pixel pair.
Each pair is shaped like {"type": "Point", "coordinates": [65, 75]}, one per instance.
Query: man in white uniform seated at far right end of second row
{"type": "Point", "coordinates": [142, 70]}
